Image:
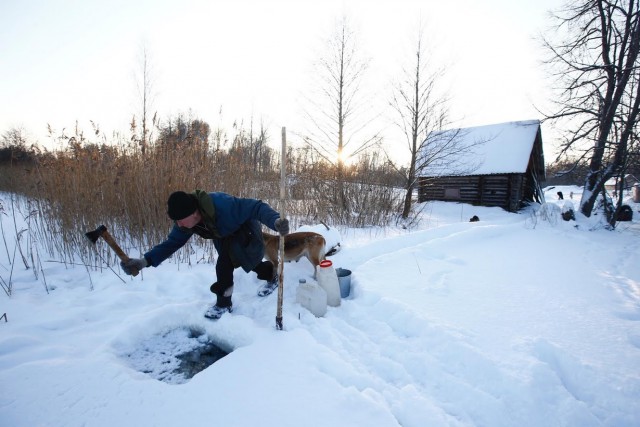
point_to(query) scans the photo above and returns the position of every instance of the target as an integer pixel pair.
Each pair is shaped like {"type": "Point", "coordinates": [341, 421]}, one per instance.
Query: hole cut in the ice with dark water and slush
{"type": "Point", "coordinates": [175, 356]}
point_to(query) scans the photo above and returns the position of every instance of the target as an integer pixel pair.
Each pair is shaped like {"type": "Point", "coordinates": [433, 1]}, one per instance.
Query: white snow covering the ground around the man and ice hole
{"type": "Point", "coordinates": [514, 320]}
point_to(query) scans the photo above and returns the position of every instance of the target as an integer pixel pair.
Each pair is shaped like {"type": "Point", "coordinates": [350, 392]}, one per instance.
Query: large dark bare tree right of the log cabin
{"type": "Point", "coordinates": [598, 81]}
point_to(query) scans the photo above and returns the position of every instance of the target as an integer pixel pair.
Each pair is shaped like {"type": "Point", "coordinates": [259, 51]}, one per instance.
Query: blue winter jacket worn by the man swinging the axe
{"type": "Point", "coordinates": [237, 230]}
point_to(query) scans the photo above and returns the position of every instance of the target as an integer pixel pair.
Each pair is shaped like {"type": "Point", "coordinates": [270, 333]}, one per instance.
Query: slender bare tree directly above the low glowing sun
{"type": "Point", "coordinates": [338, 115]}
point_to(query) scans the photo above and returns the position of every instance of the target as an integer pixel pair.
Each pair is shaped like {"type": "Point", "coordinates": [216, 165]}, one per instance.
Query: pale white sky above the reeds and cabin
{"type": "Point", "coordinates": [65, 60]}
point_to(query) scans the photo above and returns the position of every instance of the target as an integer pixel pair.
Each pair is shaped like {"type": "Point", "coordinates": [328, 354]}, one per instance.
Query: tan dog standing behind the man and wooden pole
{"type": "Point", "coordinates": [296, 245]}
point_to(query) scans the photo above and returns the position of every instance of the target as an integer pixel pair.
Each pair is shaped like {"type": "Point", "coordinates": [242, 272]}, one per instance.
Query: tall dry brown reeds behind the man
{"type": "Point", "coordinates": [84, 184]}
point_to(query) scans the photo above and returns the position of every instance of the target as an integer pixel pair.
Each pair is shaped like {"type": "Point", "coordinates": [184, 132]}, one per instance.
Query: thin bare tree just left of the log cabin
{"type": "Point", "coordinates": [421, 108]}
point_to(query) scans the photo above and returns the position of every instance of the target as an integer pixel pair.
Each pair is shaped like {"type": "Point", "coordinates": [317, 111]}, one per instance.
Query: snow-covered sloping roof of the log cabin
{"type": "Point", "coordinates": [484, 150]}
